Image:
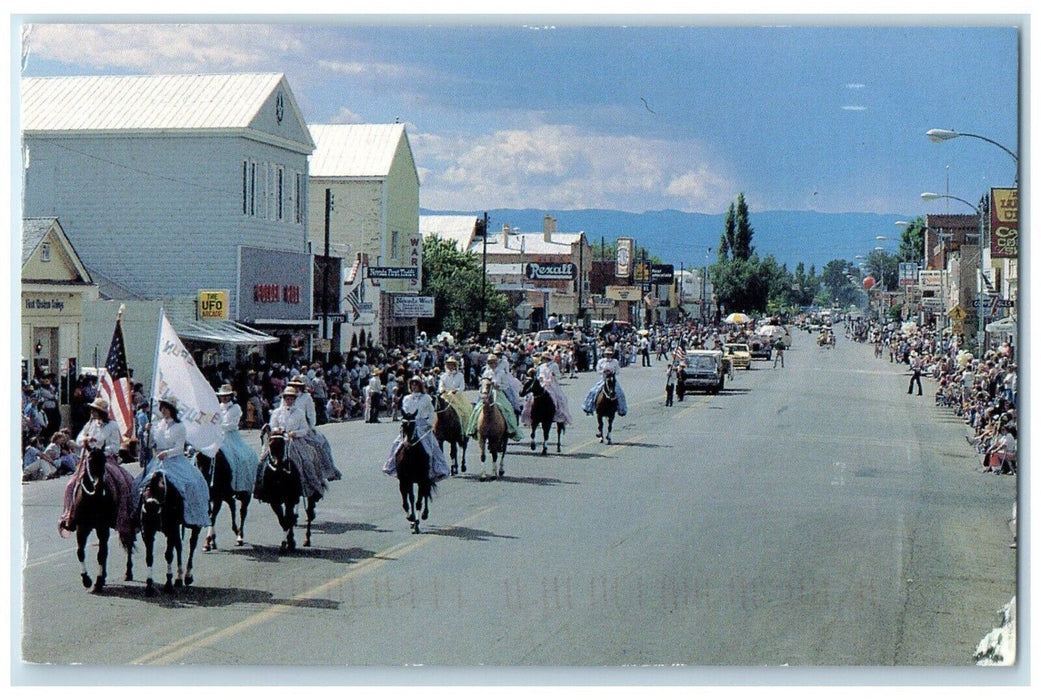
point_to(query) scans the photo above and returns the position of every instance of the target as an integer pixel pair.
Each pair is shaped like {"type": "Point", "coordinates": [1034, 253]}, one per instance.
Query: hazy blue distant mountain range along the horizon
{"type": "Point", "coordinates": [681, 238]}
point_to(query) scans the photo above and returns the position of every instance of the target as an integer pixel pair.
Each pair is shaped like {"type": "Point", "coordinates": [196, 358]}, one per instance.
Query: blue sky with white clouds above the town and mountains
{"type": "Point", "coordinates": [555, 113]}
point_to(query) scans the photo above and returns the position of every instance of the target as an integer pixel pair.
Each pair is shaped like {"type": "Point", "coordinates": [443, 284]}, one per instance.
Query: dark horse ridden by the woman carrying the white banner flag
{"type": "Point", "coordinates": [163, 511]}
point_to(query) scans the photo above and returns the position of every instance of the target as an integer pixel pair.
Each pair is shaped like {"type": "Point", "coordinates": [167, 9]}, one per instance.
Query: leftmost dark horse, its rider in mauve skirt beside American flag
{"type": "Point", "coordinates": [96, 508]}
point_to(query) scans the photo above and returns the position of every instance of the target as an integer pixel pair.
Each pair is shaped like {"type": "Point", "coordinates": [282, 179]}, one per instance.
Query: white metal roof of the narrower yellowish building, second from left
{"type": "Point", "coordinates": [354, 151]}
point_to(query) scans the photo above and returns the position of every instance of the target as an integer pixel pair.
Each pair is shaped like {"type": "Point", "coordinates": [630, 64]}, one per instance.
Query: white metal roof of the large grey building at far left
{"type": "Point", "coordinates": [137, 103]}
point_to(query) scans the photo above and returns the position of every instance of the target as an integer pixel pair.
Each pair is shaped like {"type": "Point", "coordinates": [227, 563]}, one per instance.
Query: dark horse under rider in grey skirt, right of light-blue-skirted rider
{"type": "Point", "coordinates": [281, 485]}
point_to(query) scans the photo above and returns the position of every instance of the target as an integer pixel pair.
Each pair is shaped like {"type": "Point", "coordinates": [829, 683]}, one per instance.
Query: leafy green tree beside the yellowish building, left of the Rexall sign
{"type": "Point", "coordinates": [453, 279]}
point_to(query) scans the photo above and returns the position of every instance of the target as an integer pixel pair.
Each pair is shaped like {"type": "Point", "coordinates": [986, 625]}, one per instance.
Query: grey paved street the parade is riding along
{"type": "Point", "coordinates": [806, 517]}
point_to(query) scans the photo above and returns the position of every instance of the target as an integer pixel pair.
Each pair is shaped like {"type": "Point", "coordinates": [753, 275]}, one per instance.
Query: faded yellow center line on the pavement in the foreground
{"type": "Point", "coordinates": [179, 651]}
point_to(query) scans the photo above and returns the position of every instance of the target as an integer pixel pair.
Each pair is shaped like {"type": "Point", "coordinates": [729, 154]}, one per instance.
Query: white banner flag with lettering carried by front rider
{"type": "Point", "coordinates": [177, 376]}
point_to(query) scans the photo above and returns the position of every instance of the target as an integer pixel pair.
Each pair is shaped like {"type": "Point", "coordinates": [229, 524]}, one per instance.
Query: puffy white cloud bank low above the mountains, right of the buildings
{"type": "Point", "coordinates": [563, 167]}
